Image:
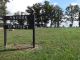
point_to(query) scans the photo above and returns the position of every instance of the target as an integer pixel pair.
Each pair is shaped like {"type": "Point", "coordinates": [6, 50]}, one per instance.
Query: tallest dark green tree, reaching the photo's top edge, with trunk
{"type": "Point", "coordinates": [48, 12]}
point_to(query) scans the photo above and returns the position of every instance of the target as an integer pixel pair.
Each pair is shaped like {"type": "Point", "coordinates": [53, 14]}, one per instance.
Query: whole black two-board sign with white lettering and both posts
{"type": "Point", "coordinates": [20, 18]}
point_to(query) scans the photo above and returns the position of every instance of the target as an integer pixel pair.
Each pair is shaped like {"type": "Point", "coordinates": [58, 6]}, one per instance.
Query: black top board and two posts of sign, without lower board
{"type": "Point", "coordinates": [18, 17]}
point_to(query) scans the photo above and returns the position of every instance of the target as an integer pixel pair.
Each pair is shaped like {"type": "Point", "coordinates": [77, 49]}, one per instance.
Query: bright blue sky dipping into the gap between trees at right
{"type": "Point", "coordinates": [64, 3]}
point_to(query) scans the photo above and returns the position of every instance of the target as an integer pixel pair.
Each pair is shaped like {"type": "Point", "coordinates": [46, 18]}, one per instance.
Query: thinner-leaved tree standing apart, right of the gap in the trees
{"type": "Point", "coordinates": [71, 10]}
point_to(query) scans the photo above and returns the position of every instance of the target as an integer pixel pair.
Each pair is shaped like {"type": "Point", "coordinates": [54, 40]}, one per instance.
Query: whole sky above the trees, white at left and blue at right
{"type": "Point", "coordinates": [20, 5]}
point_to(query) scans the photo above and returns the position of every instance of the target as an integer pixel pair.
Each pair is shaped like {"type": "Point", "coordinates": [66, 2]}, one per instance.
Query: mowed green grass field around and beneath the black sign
{"type": "Point", "coordinates": [52, 44]}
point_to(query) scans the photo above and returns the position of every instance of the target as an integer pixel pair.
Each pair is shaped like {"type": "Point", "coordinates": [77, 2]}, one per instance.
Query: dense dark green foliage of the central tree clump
{"type": "Point", "coordinates": [45, 12]}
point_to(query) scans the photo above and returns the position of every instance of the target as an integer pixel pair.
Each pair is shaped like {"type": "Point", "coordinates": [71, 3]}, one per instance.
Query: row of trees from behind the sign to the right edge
{"type": "Point", "coordinates": [45, 12]}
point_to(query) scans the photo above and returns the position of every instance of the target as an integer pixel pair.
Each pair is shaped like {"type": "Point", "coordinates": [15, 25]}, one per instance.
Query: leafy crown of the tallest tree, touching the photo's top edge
{"type": "Point", "coordinates": [47, 11]}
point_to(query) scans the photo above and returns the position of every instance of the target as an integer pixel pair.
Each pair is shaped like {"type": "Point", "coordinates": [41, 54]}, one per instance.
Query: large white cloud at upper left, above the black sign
{"type": "Point", "coordinates": [20, 5]}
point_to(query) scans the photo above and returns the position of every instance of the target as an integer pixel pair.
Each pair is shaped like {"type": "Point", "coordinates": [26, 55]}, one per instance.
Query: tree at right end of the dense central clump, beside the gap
{"type": "Point", "coordinates": [57, 15]}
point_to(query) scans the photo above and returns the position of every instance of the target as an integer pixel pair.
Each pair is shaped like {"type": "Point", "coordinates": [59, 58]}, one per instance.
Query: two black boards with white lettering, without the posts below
{"type": "Point", "coordinates": [20, 19]}
